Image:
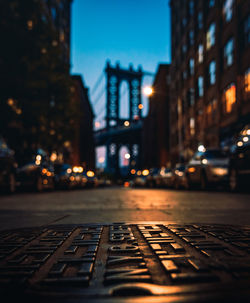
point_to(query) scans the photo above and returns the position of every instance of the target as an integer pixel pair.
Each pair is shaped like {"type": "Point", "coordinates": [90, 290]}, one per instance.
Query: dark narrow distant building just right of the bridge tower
{"type": "Point", "coordinates": [156, 125]}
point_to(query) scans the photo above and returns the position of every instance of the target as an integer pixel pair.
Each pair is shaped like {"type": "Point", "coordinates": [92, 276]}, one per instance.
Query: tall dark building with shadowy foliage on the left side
{"type": "Point", "coordinates": [35, 79]}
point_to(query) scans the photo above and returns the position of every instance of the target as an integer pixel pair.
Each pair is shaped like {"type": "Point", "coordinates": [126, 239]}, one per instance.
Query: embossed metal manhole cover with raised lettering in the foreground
{"type": "Point", "coordinates": [123, 262]}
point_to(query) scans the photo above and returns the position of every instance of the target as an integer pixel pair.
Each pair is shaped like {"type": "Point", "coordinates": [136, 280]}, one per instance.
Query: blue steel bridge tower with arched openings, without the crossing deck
{"type": "Point", "coordinates": [114, 77]}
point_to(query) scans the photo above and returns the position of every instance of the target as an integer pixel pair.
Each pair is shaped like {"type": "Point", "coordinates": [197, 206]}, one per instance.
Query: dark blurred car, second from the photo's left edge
{"type": "Point", "coordinates": [37, 174]}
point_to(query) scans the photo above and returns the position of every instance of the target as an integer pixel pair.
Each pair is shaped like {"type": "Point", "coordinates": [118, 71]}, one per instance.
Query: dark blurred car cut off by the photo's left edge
{"type": "Point", "coordinates": [7, 168]}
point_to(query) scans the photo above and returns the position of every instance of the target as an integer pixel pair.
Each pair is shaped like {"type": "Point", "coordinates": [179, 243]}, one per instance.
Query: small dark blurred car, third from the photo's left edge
{"type": "Point", "coordinates": [63, 176]}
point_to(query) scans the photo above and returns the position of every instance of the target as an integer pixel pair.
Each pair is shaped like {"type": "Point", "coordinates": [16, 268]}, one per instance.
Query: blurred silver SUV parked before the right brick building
{"type": "Point", "coordinates": [208, 167]}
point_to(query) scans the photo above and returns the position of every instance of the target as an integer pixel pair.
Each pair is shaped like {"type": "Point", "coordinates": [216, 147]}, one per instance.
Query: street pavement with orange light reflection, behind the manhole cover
{"type": "Point", "coordinates": [119, 204]}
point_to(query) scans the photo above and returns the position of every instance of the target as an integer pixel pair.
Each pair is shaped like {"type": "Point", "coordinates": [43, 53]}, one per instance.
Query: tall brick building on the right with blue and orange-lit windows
{"type": "Point", "coordinates": [210, 73]}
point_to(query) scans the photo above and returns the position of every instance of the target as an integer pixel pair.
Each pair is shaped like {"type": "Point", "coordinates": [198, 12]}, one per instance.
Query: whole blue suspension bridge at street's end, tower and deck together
{"type": "Point", "coordinates": [118, 131]}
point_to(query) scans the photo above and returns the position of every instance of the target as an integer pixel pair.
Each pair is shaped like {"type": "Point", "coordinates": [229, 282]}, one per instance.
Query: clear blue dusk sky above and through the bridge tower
{"type": "Point", "coordinates": [124, 31]}
